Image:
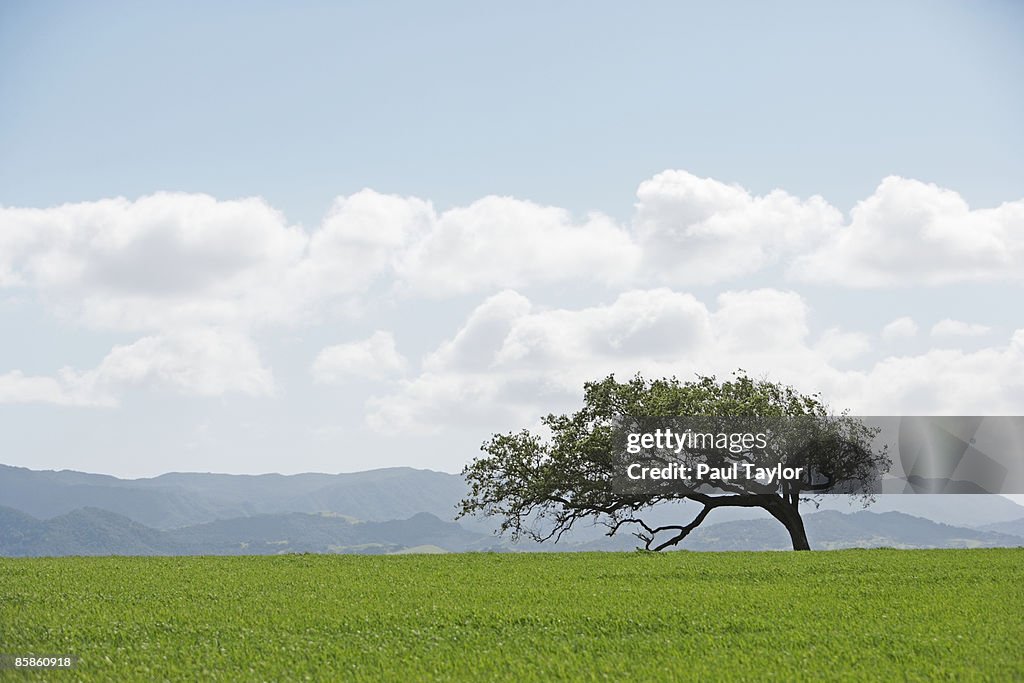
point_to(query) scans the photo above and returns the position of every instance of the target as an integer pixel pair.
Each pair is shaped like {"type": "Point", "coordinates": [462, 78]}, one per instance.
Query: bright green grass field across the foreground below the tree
{"type": "Point", "coordinates": [877, 615]}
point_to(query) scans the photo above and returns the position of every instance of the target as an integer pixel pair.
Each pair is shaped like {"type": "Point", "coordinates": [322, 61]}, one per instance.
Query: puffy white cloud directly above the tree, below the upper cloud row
{"type": "Point", "coordinates": [510, 359]}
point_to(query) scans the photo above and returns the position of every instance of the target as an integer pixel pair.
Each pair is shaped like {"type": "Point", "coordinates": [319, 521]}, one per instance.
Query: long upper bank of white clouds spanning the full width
{"type": "Point", "coordinates": [175, 260]}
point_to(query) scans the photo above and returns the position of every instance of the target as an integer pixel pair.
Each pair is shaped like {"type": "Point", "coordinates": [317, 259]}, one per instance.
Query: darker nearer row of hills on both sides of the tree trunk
{"type": "Point", "coordinates": [93, 532]}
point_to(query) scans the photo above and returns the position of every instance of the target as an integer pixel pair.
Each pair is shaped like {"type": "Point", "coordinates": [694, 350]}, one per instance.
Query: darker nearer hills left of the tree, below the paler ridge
{"type": "Point", "coordinates": [94, 532]}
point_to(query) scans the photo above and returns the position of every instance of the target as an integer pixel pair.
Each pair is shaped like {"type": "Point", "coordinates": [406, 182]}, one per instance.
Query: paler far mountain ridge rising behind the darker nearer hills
{"type": "Point", "coordinates": [179, 500]}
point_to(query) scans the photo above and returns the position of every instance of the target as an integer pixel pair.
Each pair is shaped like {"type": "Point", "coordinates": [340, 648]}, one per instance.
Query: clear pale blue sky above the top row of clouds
{"type": "Point", "coordinates": [567, 104]}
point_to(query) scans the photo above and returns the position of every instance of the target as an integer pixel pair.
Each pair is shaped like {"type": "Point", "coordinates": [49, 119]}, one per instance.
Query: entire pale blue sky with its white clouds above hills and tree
{"type": "Point", "coordinates": [333, 237]}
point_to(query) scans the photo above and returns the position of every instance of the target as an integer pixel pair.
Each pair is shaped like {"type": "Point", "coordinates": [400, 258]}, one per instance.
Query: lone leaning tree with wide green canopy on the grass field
{"type": "Point", "coordinates": [539, 487]}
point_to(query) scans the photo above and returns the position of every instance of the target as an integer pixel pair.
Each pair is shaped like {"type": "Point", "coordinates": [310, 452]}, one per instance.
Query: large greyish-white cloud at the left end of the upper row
{"type": "Point", "coordinates": [159, 263]}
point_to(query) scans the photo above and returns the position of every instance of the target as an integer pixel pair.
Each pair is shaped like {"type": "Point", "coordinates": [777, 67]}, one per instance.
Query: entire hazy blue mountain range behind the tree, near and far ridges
{"type": "Point", "coordinates": [408, 510]}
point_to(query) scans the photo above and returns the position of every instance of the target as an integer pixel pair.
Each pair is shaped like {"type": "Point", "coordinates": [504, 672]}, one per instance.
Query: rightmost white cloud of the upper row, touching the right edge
{"type": "Point", "coordinates": [911, 233]}
